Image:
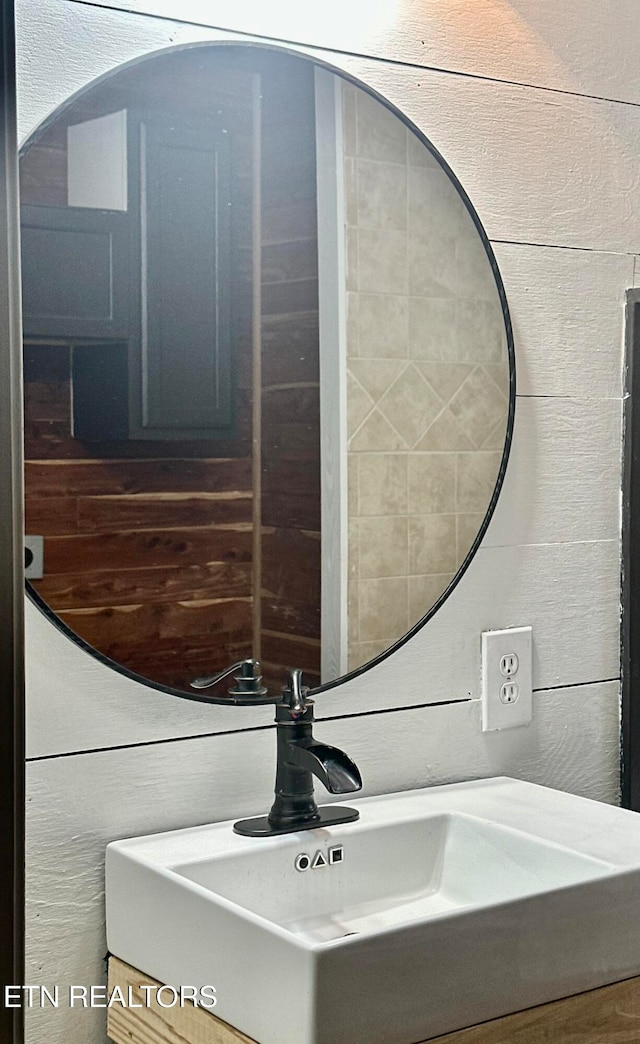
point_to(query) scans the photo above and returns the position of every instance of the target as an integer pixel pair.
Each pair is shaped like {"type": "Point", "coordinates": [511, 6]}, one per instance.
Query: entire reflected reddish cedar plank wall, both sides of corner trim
{"type": "Point", "coordinates": [149, 545]}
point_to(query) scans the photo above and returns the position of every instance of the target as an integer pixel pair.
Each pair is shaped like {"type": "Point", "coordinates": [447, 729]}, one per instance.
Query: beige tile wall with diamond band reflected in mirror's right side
{"type": "Point", "coordinates": [428, 377]}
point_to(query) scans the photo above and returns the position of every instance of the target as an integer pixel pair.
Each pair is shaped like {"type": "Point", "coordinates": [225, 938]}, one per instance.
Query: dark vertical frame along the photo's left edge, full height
{"type": "Point", "coordinates": [12, 577]}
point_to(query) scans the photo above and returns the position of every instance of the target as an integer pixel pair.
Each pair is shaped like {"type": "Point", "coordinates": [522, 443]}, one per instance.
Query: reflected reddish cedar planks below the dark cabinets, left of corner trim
{"type": "Point", "coordinates": [148, 545]}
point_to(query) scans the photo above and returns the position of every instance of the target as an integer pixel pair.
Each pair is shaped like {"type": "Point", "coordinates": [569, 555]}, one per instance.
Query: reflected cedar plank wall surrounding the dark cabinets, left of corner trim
{"type": "Point", "coordinates": [148, 544]}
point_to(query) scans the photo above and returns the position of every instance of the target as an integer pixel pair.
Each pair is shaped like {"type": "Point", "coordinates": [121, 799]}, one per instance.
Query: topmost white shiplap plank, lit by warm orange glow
{"type": "Point", "coordinates": [534, 42]}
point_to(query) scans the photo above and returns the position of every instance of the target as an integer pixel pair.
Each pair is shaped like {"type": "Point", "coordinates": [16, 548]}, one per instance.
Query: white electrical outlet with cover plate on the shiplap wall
{"type": "Point", "coordinates": [507, 678]}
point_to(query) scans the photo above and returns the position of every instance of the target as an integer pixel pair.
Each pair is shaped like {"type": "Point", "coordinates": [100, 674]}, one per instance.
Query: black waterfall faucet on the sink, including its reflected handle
{"type": "Point", "coordinates": [300, 757]}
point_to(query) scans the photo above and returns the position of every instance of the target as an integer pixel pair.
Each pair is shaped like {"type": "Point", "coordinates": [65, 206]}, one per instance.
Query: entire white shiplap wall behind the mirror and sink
{"type": "Point", "coordinates": [544, 133]}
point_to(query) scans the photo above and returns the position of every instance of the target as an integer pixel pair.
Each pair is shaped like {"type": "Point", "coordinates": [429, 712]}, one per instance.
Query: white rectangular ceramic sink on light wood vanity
{"type": "Point", "coordinates": [439, 909]}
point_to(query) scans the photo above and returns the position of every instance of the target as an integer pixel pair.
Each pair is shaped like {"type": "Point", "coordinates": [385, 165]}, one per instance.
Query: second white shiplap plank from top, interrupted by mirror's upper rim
{"type": "Point", "coordinates": [573, 196]}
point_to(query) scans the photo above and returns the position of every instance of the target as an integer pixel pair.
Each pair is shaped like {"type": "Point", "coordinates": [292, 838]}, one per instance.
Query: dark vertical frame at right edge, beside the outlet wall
{"type": "Point", "coordinates": [630, 660]}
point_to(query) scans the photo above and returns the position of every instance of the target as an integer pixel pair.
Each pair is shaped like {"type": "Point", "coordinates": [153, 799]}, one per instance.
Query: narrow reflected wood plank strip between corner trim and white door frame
{"type": "Point", "coordinates": [291, 383]}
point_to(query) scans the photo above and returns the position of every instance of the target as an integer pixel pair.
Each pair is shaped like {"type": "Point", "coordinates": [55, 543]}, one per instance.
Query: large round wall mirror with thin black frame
{"type": "Point", "coordinates": [269, 369]}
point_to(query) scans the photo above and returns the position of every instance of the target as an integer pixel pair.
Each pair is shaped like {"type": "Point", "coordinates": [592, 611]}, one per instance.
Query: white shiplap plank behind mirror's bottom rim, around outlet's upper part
{"type": "Point", "coordinates": [80, 704]}
